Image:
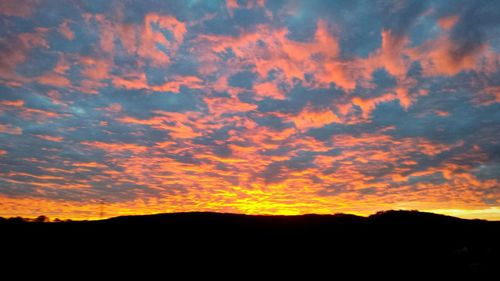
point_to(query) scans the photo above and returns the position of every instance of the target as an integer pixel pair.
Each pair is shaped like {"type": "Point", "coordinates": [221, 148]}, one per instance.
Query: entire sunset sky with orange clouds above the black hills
{"type": "Point", "coordinates": [112, 108]}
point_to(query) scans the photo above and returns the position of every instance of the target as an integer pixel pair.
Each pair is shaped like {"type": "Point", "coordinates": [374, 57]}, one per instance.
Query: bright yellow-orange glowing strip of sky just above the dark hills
{"type": "Point", "coordinates": [30, 208]}
